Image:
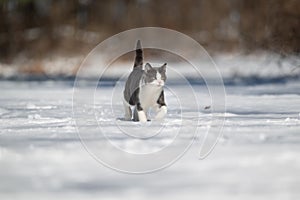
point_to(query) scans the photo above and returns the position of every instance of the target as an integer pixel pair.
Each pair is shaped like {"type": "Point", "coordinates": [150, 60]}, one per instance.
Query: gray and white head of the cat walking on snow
{"type": "Point", "coordinates": [155, 75]}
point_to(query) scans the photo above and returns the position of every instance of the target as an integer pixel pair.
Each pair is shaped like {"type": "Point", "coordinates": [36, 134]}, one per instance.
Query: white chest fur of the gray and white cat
{"type": "Point", "coordinates": [149, 95]}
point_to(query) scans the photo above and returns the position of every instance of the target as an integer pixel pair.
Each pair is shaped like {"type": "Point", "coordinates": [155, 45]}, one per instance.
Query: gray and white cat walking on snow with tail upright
{"type": "Point", "coordinates": [144, 90]}
